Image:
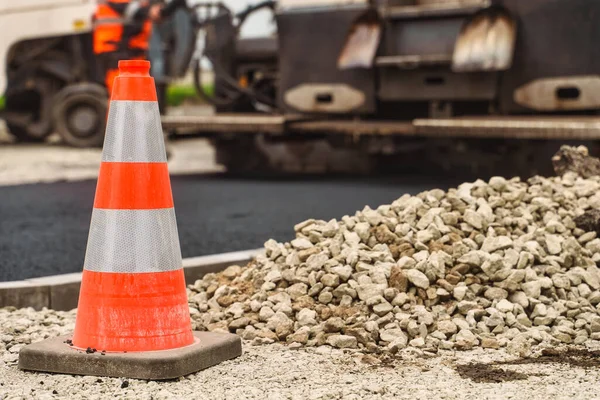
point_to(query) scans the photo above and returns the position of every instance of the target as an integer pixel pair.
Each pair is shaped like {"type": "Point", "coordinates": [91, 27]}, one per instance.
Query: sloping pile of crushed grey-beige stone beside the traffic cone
{"type": "Point", "coordinates": [492, 264]}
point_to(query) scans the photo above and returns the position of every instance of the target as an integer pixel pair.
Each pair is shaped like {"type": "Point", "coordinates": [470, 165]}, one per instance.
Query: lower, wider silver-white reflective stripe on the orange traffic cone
{"type": "Point", "coordinates": [133, 241]}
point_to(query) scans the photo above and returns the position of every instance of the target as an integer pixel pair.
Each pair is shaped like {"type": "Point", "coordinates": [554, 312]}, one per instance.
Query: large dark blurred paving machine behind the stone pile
{"type": "Point", "coordinates": [345, 84]}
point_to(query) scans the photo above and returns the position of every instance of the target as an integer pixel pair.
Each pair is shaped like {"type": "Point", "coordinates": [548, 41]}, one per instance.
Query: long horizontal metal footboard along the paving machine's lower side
{"type": "Point", "coordinates": [559, 128]}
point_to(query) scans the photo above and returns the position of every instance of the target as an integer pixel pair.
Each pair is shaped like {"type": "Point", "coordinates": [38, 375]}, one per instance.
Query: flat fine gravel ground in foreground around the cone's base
{"type": "Point", "coordinates": [279, 372]}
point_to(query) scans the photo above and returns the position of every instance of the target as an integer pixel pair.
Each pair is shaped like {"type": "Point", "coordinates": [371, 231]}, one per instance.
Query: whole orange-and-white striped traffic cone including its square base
{"type": "Point", "coordinates": [133, 311]}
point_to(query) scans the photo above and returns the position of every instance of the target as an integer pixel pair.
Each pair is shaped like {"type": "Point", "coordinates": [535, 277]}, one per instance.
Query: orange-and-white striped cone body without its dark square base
{"type": "Point", "coordinates": [133, 295]}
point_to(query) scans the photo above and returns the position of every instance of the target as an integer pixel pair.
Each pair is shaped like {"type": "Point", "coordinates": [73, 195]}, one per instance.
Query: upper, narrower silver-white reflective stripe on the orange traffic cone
{"type": "Point", "coordinates": [134, 133]}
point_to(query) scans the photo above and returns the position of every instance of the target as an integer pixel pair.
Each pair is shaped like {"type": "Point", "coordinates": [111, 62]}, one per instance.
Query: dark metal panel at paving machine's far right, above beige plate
{"type": "Point", "coordinates": [555, 38]}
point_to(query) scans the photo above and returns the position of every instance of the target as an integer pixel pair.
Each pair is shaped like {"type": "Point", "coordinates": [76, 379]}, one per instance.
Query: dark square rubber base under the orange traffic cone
{"type": "Point", "coordinates": [55, 355]}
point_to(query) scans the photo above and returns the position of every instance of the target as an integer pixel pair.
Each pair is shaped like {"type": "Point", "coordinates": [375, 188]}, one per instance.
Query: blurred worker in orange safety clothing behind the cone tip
{"type": "Point", "coordinates": [122, 30]}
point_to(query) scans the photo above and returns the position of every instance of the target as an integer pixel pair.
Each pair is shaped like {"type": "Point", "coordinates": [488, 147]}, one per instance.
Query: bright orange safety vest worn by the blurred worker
{"type": "Point", "coordinates": [108, 30]}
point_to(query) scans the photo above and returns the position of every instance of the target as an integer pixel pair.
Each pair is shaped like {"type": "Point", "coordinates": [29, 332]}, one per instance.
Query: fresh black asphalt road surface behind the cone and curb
{"type": "Point", "coordinates": [44, 227]}
